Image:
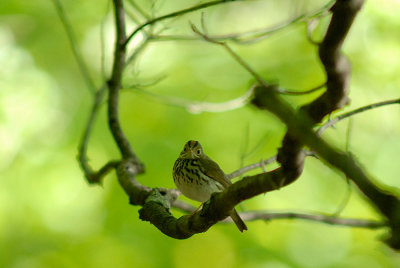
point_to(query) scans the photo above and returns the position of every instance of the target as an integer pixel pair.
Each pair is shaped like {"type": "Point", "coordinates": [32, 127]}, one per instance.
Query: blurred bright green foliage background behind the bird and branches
{"type": "Point", "coordinates": [50, 216]}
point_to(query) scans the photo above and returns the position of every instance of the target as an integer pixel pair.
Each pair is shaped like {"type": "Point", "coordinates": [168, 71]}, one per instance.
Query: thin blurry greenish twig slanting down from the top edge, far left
{"type": "Point", "coordinates": [75, 50]}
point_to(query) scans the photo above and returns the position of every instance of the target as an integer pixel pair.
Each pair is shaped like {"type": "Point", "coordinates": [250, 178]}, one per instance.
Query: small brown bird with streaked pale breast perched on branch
{"type": "Point", "coordinates": [197, 177]}
